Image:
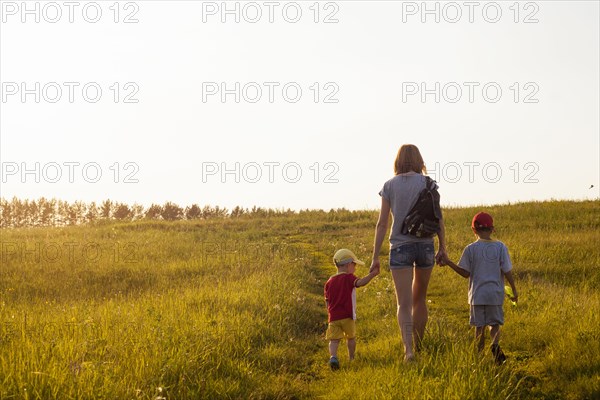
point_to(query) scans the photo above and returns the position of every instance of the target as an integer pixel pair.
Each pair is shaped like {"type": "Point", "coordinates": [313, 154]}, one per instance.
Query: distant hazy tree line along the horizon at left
{"type": "Point", "coordinates": [17, 213]}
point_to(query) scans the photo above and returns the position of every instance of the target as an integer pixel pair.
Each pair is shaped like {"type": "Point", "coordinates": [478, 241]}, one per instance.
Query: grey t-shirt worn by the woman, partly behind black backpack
{"type": "Point", "coordinates": [402, 192]}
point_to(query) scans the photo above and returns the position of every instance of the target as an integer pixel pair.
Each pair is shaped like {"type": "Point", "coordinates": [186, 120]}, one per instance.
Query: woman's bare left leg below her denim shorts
{"type": "Point", "coordinates": [403, 284]}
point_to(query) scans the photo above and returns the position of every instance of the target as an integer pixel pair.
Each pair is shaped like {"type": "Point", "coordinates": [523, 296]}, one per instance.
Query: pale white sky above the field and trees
{"type": "Point", "coordinates": [518, 99]}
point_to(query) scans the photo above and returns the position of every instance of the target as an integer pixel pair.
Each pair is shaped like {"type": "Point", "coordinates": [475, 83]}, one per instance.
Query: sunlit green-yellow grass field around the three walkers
{"type": "Point", "coordinates": [233, 308]}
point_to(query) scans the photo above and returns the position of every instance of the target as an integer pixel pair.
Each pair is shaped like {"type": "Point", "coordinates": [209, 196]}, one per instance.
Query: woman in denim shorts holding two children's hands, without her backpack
{"type": "Point", "coordinates": [411, 258]}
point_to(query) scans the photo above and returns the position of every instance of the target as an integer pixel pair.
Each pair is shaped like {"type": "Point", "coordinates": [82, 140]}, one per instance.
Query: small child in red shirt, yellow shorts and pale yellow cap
{"type": "Point", "coordinates": [340, 296]}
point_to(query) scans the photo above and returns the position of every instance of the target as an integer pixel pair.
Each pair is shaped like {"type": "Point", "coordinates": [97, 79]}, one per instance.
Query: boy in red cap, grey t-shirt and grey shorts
{"type": "Point", "coordinates": [486, 262]}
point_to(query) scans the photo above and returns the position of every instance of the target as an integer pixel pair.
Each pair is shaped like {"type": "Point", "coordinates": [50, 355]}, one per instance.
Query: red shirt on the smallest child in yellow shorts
{"type": "Point", "coordinates": [340, 294]}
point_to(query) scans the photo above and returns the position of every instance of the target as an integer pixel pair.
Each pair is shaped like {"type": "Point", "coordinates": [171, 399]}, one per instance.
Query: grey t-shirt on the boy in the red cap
{"type": "Point", "coordinates": [486, 260]}
